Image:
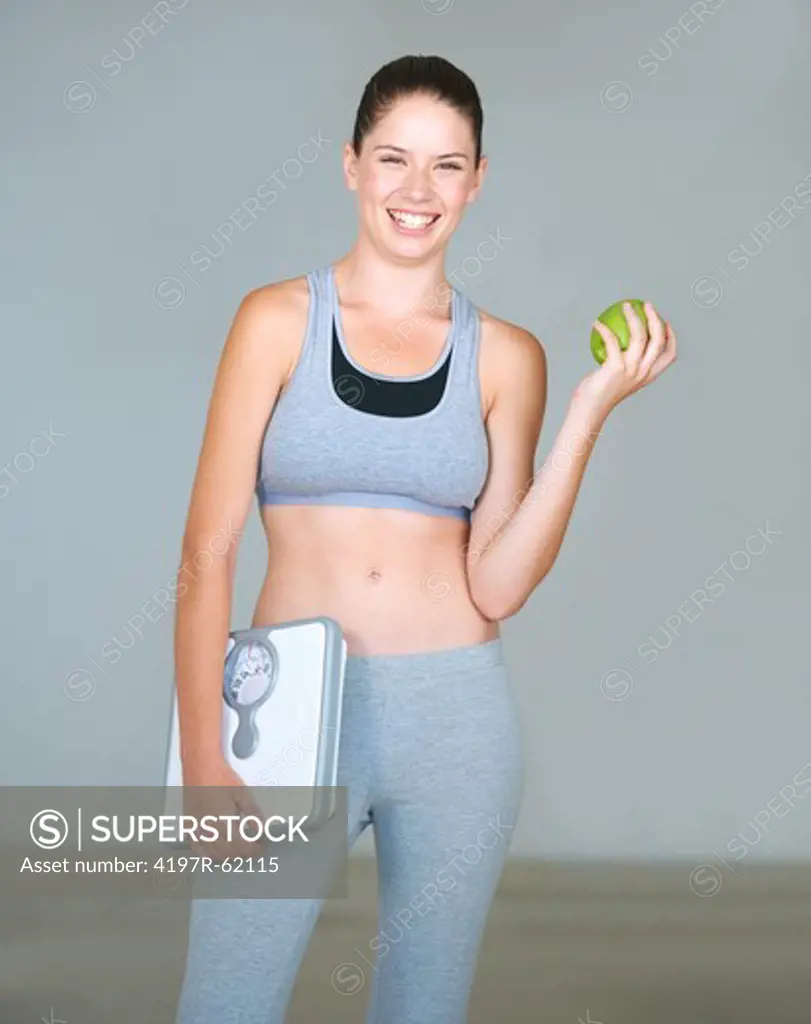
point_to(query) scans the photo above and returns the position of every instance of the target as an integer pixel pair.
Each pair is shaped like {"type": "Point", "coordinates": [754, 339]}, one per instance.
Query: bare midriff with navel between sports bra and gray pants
{"type": "Point", "coordinates": [395, 580]}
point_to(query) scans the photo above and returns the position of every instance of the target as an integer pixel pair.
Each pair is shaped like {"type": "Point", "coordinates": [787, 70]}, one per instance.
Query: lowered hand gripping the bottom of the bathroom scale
{"type": "Point", "coordinates": [215, 789]}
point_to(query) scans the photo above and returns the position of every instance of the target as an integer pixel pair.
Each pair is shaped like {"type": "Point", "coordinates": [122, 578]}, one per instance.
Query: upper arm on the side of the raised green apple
{"type": "Point", "coordinates": [516, 364]}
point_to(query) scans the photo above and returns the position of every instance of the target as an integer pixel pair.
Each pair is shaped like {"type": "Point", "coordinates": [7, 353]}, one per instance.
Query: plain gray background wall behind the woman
{"type": "Point", "coordinates": [634, 150]}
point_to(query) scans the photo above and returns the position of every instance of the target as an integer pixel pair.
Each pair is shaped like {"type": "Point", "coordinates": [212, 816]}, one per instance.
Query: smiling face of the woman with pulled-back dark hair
{"type": "Point", "coordinates": [414, 178]}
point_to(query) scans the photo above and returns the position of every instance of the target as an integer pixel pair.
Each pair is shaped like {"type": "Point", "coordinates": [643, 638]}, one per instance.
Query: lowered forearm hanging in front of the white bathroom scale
{"type": "Point", "coordinates": [202, 624]}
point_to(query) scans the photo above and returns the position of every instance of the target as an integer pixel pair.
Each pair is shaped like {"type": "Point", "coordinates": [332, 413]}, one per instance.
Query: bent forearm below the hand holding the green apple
{"type": "Point", "coordinates": [523, 545]}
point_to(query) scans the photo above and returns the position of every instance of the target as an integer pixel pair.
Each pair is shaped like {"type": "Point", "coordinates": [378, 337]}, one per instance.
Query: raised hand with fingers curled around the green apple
{"type": "Point", "coordinates": [649, 355]}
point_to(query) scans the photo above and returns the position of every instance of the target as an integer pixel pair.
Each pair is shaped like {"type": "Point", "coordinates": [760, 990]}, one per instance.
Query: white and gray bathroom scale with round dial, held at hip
{"type": "Point", "coordinates": [282, 702]}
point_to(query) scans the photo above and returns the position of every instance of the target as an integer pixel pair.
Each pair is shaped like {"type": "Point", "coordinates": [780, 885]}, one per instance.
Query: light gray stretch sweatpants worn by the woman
{"type": "Point", "coordinates": [431, 753]}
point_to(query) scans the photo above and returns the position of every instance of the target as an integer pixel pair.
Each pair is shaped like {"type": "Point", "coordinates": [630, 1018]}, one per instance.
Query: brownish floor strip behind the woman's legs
{"type": "Point", "coordinates": [566, 944]}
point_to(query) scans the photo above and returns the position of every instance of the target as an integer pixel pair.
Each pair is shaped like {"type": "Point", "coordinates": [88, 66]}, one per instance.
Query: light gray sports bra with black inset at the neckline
{"type": "Point", "coordinates": [343, 436]}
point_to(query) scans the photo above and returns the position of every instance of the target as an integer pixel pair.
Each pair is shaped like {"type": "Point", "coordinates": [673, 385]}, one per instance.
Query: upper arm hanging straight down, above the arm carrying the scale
{"type": "Point", "coordinates": [252, 370]}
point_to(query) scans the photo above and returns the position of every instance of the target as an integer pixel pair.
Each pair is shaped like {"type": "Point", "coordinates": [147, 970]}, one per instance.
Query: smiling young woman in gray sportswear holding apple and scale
{"type": "Point", "coordinates": [390, 429]}
